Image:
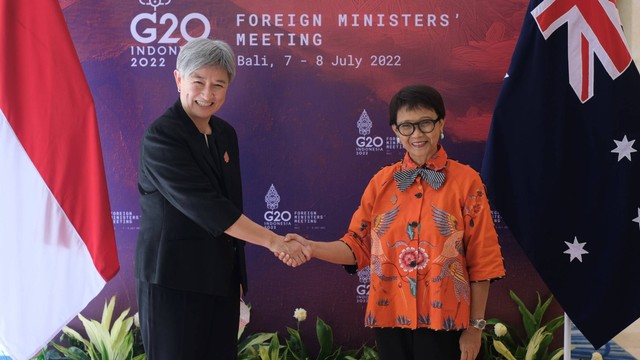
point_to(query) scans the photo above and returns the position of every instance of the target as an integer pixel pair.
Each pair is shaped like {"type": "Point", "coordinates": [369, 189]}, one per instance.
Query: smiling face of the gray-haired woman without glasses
{"type": "Point", "coordinates": [202, 92]}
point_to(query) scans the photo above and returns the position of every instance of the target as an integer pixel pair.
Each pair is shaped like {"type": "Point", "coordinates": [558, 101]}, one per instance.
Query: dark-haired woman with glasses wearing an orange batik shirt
{"type": "Point", "coordinates": [425, 229]}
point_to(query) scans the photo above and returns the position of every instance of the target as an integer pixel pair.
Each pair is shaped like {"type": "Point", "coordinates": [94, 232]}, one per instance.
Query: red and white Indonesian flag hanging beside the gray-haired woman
{"type": "Point", "coordinates": [57, 243]}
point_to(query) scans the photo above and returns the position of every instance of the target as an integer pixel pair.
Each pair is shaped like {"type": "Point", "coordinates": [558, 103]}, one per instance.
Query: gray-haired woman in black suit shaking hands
{"type": "Point", "coordinates": [190, 264]}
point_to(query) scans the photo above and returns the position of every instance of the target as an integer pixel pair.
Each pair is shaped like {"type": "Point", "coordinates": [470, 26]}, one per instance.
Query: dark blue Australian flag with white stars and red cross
{"type": "Point", "coordinates": [561, 163]}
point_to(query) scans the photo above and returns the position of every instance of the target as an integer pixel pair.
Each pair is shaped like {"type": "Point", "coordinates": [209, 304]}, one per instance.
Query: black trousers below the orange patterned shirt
{"type": "Point", "coordinates": [419, 344]}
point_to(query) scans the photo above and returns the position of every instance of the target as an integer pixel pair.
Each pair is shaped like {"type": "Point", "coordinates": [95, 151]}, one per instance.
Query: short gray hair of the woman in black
{"type": "Point", "coordinates": [202, 52]}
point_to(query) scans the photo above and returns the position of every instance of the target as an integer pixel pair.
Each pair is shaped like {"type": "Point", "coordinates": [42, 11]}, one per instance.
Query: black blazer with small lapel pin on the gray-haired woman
{"type": "Point", "coordinates": [188, 198]}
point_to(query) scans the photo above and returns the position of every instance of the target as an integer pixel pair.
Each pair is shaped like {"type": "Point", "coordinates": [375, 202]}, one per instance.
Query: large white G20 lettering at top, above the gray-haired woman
{"type": "Point", "coordinates": [166, 25]}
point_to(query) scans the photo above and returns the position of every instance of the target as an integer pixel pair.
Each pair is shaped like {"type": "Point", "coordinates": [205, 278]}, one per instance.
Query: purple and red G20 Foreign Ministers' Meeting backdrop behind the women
{"type": "Point", "coordinates": [310, 106]}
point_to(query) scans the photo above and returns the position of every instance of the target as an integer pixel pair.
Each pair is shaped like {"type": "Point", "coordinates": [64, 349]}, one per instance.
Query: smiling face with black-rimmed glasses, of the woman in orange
{"type": "Point", "coordinates": [420, 146]}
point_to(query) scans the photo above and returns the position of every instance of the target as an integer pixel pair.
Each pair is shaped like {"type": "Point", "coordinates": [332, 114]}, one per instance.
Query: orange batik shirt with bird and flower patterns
{"type": "Point", "coordinates": [424, 246]}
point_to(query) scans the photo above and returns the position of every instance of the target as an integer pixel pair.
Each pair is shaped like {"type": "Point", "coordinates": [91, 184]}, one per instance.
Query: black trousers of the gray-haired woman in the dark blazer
{"type": "Point", "coordinates": [182, 325]}
